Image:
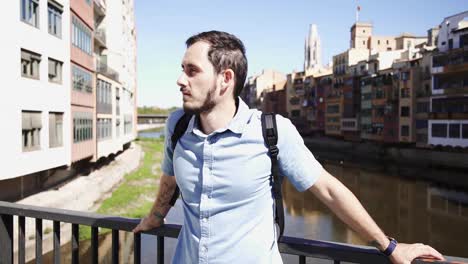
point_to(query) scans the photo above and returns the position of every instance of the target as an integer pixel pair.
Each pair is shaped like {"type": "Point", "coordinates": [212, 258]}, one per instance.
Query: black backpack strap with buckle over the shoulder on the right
{"type": "Point", "coordinates": [270, 135]}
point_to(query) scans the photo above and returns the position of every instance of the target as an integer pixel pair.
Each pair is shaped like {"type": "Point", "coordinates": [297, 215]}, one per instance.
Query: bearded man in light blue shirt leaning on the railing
{"type": "Point", "coordinates": [222, 167]}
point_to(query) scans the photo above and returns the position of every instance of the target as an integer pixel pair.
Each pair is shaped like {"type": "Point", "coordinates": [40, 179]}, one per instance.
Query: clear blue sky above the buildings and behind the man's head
{"type": "Point", "coordinates": [272, 31]}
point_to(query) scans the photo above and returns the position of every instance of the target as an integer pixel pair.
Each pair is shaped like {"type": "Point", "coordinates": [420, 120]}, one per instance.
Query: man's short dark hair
{"type": "Point", "coordinates": [226, 52]}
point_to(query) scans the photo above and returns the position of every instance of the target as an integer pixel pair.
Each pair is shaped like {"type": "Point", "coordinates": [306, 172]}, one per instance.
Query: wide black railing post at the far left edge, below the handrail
{"type": "Point", "coordinates": [6, 239]}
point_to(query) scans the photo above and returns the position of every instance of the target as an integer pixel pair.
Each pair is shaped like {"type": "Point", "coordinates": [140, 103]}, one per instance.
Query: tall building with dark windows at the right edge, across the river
{"type": "Point", "coordinates": [448, 120]}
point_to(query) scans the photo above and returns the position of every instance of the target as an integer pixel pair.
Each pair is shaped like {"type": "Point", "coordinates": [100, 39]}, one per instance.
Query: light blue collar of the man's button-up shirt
{"type": "Point", "coordinates": [236, 125]}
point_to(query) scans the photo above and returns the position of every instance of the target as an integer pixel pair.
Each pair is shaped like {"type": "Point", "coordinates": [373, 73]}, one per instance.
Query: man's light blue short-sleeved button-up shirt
{"type": "Point", "coordinates": [224, 179]}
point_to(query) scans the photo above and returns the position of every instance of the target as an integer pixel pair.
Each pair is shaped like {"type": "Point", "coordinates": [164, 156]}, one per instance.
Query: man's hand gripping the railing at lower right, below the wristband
{"type": "Point", "coordinates": [405, 253]}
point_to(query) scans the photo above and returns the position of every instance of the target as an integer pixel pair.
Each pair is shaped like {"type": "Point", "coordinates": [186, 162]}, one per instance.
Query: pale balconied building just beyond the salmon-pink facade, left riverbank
{"type": "Point", "coordinates": [116, 76]}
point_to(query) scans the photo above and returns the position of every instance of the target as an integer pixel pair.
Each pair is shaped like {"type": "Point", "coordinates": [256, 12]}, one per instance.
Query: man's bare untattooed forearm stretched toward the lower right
{"type": "Point", "coordinates": [348, 208]}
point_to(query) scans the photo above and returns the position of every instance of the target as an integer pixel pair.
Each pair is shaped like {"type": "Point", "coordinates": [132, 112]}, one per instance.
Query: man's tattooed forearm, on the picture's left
{"type": "Point", "coordinates": [162, 205]}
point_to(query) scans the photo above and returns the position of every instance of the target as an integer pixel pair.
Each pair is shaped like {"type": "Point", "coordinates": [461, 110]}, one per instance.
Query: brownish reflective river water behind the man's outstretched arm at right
{"type": "Point", "coordinates": [412, 211]}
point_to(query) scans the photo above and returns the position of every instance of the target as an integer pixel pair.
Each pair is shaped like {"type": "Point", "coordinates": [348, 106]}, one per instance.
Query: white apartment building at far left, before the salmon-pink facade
{"type": "Point", "coordinates": [35, 69]}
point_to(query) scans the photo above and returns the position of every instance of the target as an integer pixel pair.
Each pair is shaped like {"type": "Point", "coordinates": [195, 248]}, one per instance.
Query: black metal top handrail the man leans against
{"type": "Point", "coordinates": [287, 245]}
